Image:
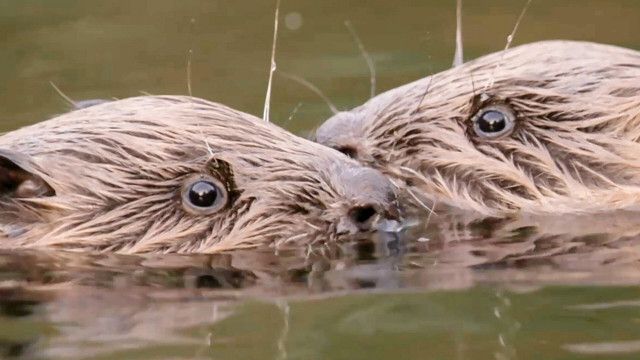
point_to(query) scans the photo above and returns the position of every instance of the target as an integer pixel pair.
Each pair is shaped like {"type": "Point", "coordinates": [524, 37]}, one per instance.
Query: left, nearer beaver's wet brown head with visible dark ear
{"type": "Point", "coordinates": [178, 174]}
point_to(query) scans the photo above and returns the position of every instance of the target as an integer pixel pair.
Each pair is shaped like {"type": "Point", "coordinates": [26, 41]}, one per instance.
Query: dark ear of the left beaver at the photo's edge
{"type": "Point", "coordinates": [18, 178]}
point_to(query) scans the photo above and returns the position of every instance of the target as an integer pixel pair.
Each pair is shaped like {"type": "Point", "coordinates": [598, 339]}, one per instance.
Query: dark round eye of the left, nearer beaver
{"type": "Point", "coordinates": [203, 196]}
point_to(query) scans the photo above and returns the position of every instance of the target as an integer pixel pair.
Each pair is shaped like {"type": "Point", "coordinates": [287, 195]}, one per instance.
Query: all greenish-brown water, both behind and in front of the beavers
{"type": "Point", "coordinates": [454, 289]}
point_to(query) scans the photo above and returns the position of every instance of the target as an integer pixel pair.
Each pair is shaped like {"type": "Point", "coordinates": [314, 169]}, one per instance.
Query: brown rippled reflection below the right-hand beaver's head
{"type": "Point", "coordinates": [564, 242]}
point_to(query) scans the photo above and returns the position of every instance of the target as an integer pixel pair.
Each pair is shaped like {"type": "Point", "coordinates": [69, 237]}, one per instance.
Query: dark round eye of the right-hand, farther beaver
{"type": "Point", "coordinates": [493, 121]}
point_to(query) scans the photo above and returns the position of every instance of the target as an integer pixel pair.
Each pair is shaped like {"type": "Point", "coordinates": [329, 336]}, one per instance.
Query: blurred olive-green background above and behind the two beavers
{"type": "Point", "coordinates": [104, 49]}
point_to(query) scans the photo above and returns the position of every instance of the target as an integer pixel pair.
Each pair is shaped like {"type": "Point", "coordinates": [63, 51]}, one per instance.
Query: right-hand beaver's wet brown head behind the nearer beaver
{"type": "Point", "coordinates": [549, 127]}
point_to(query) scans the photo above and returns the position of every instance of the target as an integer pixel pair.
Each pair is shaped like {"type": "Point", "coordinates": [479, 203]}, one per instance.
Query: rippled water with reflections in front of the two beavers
{"type": "Point", "coordinates": [476, 286]}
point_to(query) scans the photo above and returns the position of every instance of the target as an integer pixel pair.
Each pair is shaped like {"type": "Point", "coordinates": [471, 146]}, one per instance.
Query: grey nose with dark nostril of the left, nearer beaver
{"type": "Point", "coordinates": [371, 200]}
